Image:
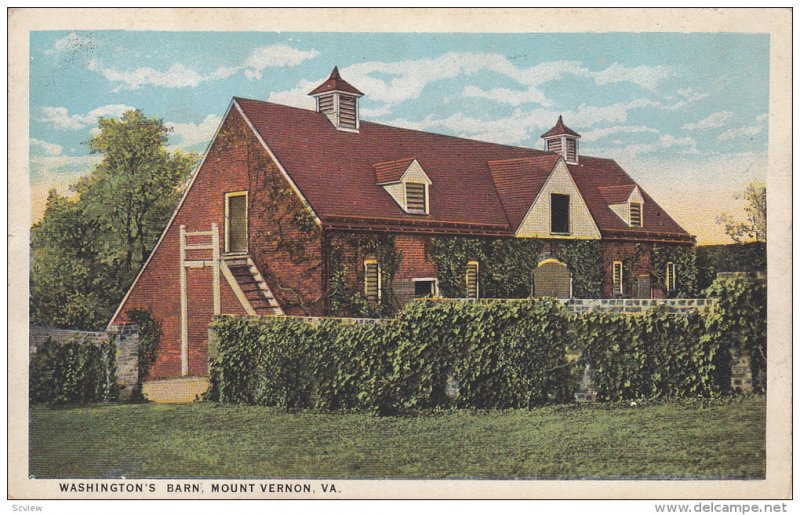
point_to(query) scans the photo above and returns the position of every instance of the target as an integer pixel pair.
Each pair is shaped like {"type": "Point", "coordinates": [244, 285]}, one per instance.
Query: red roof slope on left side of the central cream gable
{"type": "Point", "coordinates": [518, 182]}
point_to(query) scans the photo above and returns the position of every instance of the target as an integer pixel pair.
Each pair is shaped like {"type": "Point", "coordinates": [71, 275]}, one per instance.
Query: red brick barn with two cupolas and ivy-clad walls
{"type": "Point", "coordinates": [300, 212]}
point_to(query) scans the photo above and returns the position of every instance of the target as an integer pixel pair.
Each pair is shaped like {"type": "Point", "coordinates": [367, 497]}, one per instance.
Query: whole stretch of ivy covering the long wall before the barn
{"type": "Point", "coordinates": [488, 354]}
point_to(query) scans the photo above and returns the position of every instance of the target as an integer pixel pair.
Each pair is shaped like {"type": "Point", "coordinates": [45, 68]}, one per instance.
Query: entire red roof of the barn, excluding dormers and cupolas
{"type": "Point", "coordinates": [477, 185]}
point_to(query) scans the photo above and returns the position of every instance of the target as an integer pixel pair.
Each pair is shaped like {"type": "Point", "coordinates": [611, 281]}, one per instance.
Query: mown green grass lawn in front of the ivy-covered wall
{"type": "Point", "coordinates": [683, 439]}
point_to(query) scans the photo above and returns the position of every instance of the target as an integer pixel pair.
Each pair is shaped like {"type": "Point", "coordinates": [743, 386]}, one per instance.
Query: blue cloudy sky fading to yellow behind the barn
{"type": "Point", "coordinates": [684, 114]}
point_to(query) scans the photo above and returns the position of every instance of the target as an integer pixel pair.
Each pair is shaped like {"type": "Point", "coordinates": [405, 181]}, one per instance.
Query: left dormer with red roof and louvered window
{"type": "Point", "coordinates": [407, 183]}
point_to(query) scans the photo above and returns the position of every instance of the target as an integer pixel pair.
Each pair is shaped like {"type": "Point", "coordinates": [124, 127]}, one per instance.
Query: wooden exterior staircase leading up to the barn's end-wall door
{"type": "Point", "coordinates": [253, 292]}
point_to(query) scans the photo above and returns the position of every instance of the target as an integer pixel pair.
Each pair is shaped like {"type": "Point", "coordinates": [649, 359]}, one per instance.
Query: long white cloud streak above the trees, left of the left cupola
{"type": "Point", "coordinates": [181, 76]}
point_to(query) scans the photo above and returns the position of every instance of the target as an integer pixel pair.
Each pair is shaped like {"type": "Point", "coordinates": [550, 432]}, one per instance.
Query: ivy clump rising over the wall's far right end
{"type": "Point", "coordinates": [742, 322]}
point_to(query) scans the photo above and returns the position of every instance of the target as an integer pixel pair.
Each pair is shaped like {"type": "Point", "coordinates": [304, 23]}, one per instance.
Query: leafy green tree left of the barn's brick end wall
{"type": "Point", "coordinates": [86, 251]}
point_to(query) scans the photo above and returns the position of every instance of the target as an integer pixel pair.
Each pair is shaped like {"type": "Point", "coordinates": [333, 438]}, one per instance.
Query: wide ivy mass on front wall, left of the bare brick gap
{"type": "Point", "coordinates": [479, 355]}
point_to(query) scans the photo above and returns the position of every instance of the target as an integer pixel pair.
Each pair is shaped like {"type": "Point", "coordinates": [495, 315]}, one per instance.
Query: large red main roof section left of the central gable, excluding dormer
{"type": "Point", "coordinates": [333, 168]}
